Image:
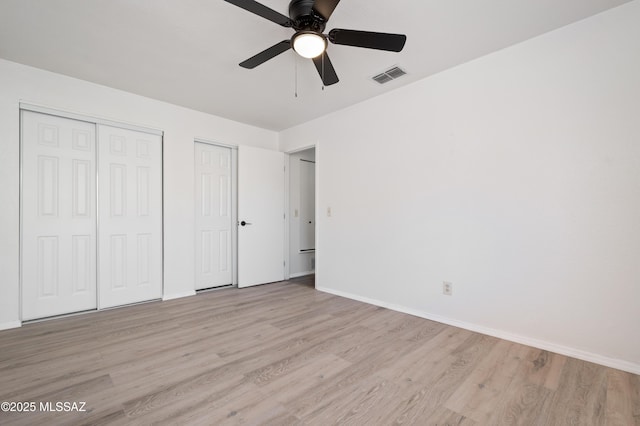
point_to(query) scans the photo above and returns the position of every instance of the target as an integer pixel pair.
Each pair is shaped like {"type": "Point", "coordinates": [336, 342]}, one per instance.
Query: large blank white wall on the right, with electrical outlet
{"type": "Point", "coordinates": [515, 176]}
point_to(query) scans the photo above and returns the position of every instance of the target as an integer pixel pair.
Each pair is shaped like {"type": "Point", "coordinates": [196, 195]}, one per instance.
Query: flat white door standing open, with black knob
{"type": "Point", "coordinates": [261, 182]}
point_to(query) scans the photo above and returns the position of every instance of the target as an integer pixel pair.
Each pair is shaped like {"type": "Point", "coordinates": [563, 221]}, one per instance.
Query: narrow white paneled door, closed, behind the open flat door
{"type": "Point", "coordinates": [214, 220]}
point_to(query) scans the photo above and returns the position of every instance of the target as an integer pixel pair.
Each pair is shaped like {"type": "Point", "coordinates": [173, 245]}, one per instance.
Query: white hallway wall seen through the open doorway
{"type": "Point", "coordinates": [299, 263]}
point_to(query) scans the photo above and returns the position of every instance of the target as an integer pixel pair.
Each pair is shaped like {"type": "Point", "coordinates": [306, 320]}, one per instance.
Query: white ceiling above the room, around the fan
{"type": "Point", "coordinates": [186, 52]}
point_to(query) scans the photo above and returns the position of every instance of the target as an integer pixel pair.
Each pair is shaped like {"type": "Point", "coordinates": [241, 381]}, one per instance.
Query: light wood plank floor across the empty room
{"type": "Point", "coordinates": [284, 354]}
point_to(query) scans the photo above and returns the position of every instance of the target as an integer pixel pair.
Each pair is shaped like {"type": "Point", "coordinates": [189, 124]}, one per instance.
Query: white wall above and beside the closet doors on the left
{"type": "Point", "coordinates": [20, 83]}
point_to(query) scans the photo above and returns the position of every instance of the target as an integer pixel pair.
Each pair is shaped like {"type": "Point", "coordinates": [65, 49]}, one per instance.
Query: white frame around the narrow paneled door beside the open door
{"type": "Point", "coordinates": [234, 208]}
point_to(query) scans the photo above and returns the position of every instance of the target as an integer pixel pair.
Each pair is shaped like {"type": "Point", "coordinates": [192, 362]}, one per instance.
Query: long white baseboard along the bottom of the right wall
{"type": "Point", "coordinates": [619, 364]}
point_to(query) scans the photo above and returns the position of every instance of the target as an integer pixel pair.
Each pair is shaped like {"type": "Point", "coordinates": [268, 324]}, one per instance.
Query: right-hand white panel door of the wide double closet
{"type": "Point", "coordinates": [130, 216]}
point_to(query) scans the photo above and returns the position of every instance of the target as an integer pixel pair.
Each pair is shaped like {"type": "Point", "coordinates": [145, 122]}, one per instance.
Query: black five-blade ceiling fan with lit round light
{"type": "Point", "coordinates": [309, 18]}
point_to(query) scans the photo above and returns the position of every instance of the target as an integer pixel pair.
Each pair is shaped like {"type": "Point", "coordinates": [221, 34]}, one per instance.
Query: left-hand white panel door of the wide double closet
{"type": "Point", "coordinates": [58, 216]}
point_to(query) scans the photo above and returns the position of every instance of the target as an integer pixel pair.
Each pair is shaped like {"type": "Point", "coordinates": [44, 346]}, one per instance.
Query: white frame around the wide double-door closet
{"type": "Point", "coordinates": [42, 109]}
